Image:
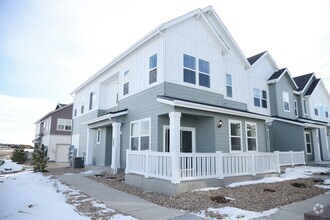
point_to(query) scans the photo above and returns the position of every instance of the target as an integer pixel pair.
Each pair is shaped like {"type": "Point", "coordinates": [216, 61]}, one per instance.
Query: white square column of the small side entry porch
{"type": "Point", "coordinates": [115, 160]}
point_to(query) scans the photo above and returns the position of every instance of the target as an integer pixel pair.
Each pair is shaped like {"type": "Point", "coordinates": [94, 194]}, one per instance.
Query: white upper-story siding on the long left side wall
{"type": "Point", "coordinates": [107, 84]}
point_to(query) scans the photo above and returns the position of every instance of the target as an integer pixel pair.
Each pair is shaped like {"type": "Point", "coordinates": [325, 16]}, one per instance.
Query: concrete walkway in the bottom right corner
{"type": "Point", "coordinates": [296, 210]}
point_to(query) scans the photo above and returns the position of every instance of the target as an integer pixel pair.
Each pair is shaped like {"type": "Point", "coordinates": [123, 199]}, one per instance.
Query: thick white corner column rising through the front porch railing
{"type": "Point", "coordinates": [175, 124]}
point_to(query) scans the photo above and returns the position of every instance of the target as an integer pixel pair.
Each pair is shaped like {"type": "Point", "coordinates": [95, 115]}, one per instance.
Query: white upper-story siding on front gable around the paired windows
{"type": "Point", "coordinates": [193, 37]}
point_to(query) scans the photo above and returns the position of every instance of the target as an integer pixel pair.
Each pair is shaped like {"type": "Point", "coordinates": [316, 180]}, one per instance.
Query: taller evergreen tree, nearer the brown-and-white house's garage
{"type": "Point", "coordinates": [39, 158]}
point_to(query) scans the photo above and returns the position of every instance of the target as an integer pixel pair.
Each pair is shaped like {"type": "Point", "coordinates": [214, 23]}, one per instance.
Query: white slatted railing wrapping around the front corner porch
{"type": "Point", "coordinates": [193, 166]}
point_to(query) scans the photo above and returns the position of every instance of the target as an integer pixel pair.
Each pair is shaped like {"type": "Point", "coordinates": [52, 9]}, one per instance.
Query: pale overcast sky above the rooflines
{"type": "Point", "coordinates": [49, 47]}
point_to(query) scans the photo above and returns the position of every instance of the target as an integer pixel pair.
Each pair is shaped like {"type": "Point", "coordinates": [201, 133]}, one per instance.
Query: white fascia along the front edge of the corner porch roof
{"type": "Point", "coordinates": [203, 107]}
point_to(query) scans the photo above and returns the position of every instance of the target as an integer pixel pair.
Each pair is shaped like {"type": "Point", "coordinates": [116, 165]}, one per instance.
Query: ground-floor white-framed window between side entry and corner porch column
{"type": "Point", "coordinates": [140, 135]}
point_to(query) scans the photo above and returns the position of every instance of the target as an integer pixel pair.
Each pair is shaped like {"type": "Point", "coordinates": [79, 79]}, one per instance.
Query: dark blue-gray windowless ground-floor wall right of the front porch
{"type": "Point", "coordinates": [285, 137]}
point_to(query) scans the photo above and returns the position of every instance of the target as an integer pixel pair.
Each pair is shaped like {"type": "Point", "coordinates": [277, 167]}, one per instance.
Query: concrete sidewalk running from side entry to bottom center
{"type": "Point", "coordinates": [124, 202]}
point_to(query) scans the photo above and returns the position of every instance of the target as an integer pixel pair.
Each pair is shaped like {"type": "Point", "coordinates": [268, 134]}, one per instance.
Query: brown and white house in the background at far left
{"type": "Point", "coordinates": [54, 131]}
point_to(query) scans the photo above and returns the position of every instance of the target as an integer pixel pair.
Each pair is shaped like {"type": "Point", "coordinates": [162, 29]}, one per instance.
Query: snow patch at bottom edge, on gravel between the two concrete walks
{"type": "Point", "coordinates": [236, 213]}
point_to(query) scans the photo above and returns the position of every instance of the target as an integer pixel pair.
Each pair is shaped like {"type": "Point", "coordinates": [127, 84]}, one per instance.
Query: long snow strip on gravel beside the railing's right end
{"type": "Point", "coordinates": [290, 174]}
